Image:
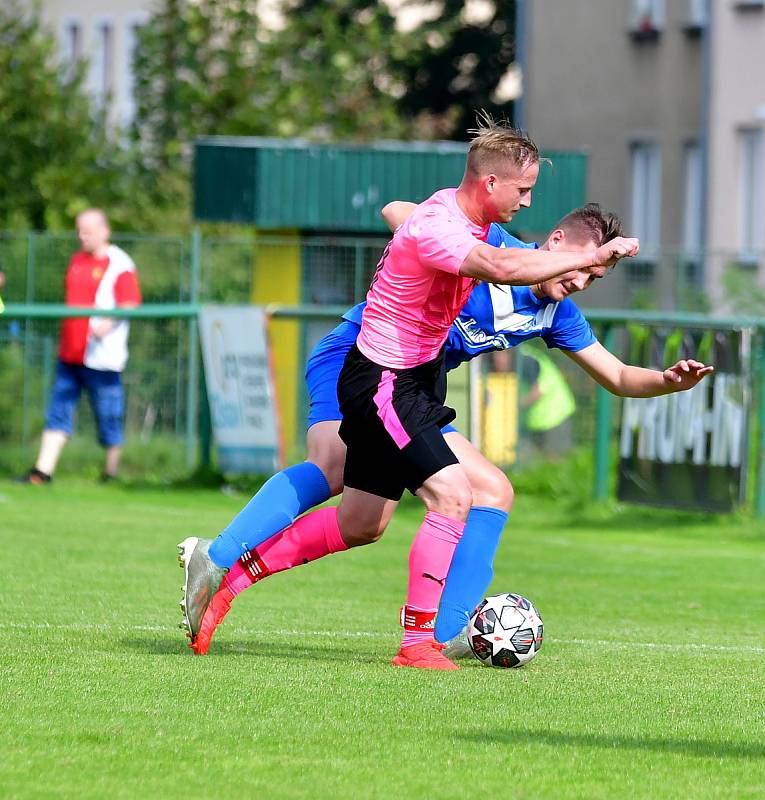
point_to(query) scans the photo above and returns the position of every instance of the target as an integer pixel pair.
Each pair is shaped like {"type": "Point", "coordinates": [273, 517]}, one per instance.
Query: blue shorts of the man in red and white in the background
{"type": "Point", "coordinates": [107, 399]}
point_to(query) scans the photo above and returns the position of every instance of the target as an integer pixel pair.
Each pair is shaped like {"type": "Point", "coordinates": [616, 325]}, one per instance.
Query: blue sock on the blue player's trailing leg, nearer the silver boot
{"type": "Point", "coordinates": [281, 499]}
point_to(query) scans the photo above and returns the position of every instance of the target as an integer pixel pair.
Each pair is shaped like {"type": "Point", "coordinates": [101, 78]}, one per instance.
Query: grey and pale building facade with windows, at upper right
{"type": "Point", "coordinates": [668, 99]}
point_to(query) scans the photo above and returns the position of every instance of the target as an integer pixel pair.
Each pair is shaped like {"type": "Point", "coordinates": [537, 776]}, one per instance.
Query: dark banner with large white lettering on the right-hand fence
{"type": "Point", "coordinates": [688, 449]}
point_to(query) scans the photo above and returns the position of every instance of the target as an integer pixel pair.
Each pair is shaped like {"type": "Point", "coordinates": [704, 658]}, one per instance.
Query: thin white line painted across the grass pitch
{"type": "Point", "coordinates": [605, 643]}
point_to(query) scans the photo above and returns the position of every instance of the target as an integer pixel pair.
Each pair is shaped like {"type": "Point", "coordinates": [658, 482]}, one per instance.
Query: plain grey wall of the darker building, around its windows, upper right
{"type": "Point", "coordinates": [588, 85]}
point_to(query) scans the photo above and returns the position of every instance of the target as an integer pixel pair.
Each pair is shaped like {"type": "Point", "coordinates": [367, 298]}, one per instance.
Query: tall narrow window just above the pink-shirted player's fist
{"type": "Point", "coordinates": [645, 206]}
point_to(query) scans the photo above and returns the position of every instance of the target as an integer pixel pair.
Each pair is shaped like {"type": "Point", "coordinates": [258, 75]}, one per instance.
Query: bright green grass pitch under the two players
{"type": "Point", "coordinates": [650, 684]}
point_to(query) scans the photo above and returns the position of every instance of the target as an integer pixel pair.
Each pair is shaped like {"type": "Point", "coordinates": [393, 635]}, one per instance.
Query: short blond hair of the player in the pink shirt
{"type": "Point", "coordinates": [498, 147]}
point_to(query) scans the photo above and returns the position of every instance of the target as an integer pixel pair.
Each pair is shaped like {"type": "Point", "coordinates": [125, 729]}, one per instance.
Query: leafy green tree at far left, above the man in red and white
{"type": "Point", "coordinates": [55, 152]}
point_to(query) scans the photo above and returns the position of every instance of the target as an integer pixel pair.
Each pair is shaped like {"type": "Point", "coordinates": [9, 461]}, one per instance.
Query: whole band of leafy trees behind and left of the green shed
{"type": "Point", "coordinates": [329, 71]}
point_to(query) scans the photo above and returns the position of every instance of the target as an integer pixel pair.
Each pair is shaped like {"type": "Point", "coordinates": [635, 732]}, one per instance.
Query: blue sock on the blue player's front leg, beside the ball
{"type": "Point", "coordinates": [471, 570]}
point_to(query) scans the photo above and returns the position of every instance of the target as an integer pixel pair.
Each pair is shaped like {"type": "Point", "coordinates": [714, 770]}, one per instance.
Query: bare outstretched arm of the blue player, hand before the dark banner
{"type": "Point", "coordinates": [628, 381]}
